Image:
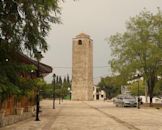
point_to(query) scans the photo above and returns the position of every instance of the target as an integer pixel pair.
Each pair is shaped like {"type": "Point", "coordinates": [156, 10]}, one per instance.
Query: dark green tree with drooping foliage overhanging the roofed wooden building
{"type": "Point", "coordinates": [24, 25]}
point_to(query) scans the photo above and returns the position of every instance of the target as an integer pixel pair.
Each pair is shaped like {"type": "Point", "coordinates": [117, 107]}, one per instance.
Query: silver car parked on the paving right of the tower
{"type": "Point", "coordinates": [125, 100]}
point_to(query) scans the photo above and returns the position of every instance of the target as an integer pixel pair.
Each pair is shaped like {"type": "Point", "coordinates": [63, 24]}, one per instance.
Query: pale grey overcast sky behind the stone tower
{"type": "Point", "coordinates": [97, 18]}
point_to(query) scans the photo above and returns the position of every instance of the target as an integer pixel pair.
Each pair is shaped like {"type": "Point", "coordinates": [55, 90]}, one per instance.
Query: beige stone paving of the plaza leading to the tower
{"type": "Point", "coordinates": [92, 115]}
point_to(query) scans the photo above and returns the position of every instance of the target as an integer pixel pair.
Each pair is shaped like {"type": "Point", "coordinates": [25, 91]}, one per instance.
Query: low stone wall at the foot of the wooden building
{"type": "Point", "coordinates": [11, 119]}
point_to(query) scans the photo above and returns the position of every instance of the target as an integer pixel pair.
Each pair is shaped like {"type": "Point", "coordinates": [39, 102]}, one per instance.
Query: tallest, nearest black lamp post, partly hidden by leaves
{"type": "Point", "coordinates": [38, 56]}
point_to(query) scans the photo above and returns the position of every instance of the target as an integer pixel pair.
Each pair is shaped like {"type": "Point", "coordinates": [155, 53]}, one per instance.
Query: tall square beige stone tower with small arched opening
{"type": "Point", "coordinates": [82, 68]}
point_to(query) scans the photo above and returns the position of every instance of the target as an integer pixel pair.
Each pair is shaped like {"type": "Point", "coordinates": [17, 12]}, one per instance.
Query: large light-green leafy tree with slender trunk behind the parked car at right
{"type": "Point", "coordinates": [139, 49]}
